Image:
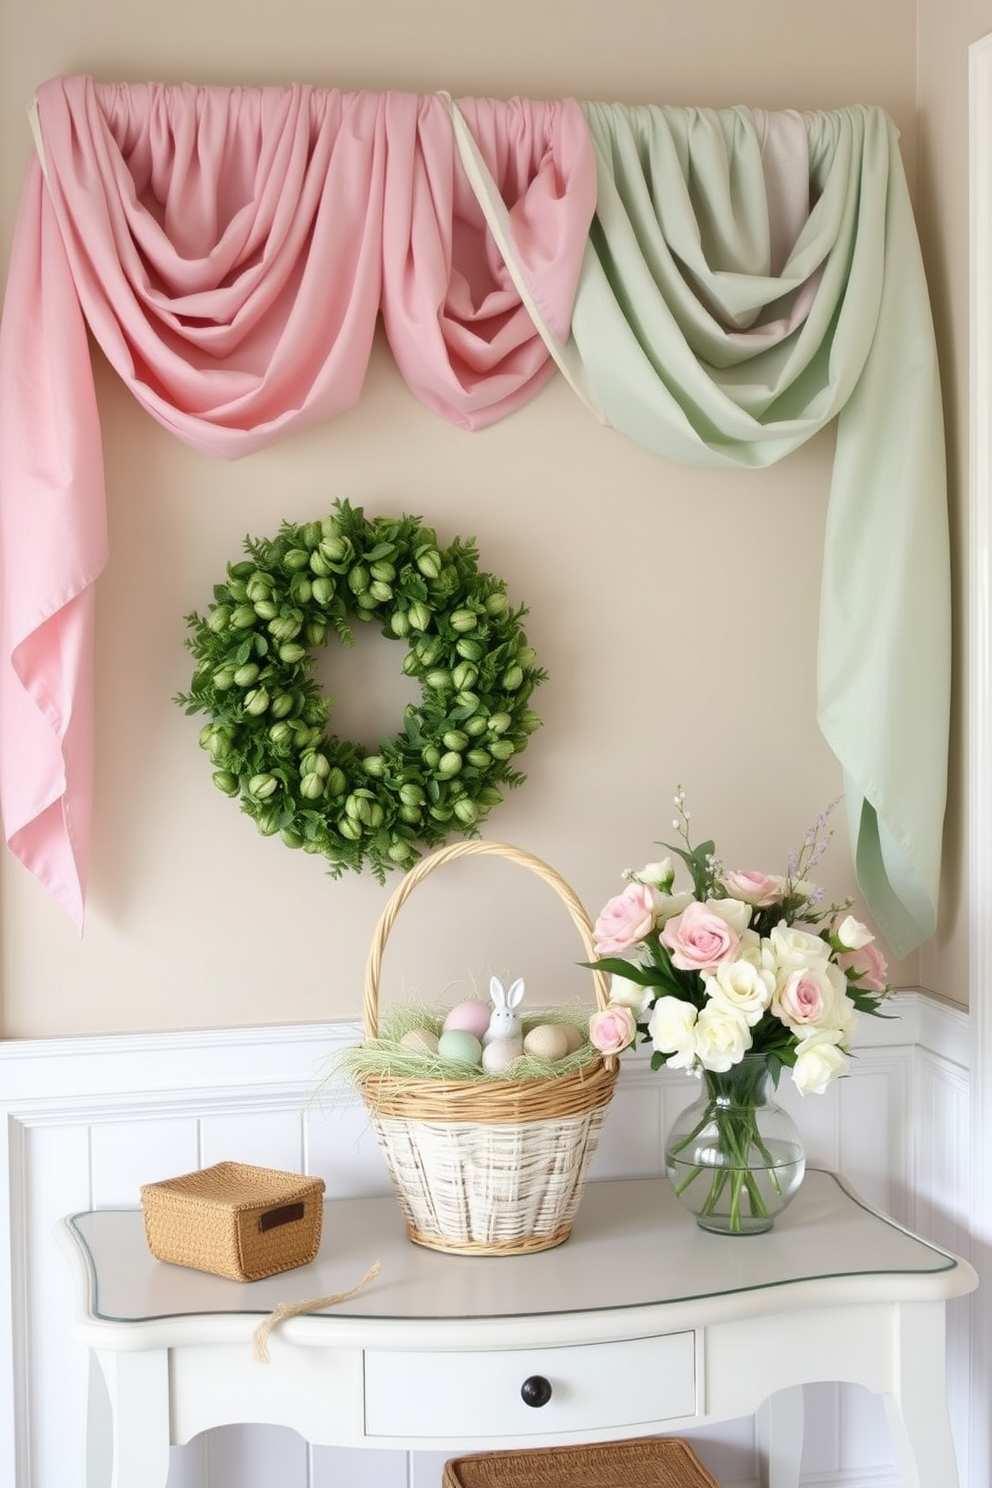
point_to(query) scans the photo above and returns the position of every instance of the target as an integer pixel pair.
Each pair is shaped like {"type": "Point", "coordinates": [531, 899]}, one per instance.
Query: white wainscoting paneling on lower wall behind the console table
{"type": "Point", "coordinates": [87, 1121]}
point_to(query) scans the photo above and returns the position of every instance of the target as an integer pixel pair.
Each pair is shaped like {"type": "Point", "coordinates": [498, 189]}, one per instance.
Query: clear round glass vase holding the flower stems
{"type": "Point", "coordinates": [735, 1158]}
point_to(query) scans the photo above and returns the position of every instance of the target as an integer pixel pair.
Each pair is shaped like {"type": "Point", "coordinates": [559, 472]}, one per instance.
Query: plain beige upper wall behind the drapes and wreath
{"type": "Point", "coordinates": [628, 563]}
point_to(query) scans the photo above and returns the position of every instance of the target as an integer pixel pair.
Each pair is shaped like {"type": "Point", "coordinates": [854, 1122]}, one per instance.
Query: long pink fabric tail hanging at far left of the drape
{"type": "Point", "coordinates": [53, 548]}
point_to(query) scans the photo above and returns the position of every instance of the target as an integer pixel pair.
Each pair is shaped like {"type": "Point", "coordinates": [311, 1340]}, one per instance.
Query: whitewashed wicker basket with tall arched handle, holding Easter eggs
{"type": "Point", "coordinates": [487, 1167]}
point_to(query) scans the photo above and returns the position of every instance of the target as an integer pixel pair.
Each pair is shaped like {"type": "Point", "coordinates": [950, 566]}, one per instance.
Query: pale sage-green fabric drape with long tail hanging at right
{"type": "Point", "coordinates": [700, 347]}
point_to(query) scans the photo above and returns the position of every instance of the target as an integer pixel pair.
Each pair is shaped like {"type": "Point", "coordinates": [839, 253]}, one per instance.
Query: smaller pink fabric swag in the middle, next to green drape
{"type": "Point", "coordinates": [460, 336]}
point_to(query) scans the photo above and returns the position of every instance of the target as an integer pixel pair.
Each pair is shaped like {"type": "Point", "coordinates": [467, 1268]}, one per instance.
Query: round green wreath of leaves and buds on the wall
{"type": "Point", "coordinates": [268, 736]}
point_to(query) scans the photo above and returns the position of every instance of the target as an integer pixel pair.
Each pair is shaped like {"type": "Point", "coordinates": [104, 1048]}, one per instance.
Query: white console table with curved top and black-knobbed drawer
{"type": "Point", "coordinates": [640, 1324]}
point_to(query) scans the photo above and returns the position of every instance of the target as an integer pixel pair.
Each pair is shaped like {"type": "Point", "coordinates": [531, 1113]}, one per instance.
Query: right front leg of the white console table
{"type": "Point", "coordinates": [917, 1408]}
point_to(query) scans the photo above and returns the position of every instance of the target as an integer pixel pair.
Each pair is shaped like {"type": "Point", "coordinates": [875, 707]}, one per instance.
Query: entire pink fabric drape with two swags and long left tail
{"type": "Point", "coordinates": [230, 251]}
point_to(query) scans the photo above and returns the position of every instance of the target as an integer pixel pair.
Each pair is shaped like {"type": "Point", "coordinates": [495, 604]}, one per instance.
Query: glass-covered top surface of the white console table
{"type": "Point", "coordinates": [631, 1246]}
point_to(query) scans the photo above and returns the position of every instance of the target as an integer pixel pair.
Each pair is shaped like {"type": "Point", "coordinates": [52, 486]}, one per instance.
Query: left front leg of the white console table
{"type": "Point", "coordinates": [129, 1434]}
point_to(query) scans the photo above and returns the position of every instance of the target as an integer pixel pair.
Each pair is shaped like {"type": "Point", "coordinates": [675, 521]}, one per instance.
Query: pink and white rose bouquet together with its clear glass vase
{"type": "Point", "coordinates": [734, 981]}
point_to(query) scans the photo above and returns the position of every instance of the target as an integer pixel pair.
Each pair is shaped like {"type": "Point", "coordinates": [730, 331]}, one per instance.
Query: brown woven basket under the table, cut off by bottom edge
{"type": "Point", "coordinates": [643, 1463]}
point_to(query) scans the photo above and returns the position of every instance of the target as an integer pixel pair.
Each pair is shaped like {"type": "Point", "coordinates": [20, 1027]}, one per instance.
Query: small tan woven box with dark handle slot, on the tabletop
{"type": "Point", "coordinates": [237, 1221]}
